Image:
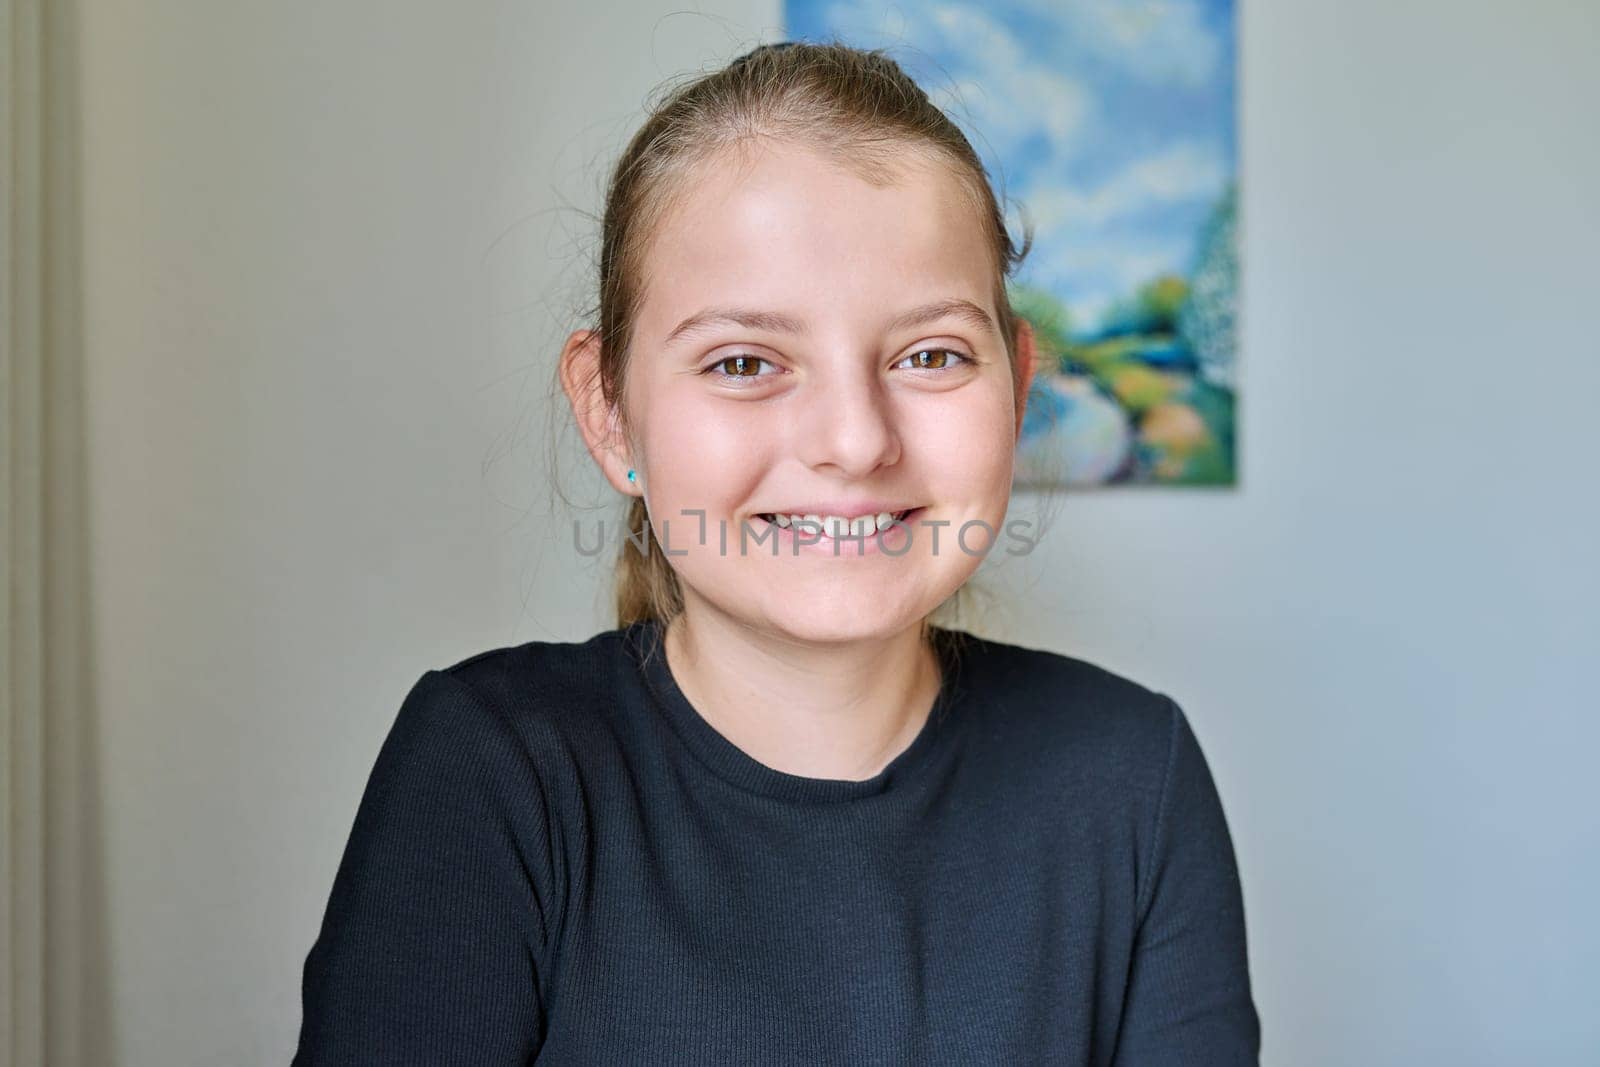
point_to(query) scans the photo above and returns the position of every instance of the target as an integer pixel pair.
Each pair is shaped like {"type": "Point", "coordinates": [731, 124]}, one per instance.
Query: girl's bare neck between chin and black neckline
{"type": "Point", "coordinates": [836, 713]}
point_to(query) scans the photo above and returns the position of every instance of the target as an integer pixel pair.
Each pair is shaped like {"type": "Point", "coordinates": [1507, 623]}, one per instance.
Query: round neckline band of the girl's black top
{"type": "Point", "coordinates": [740, 769]}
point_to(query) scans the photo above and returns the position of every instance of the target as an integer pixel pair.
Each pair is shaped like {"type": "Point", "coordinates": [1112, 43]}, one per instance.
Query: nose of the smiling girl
{"type": "Point", "coordinates": [847, 425]}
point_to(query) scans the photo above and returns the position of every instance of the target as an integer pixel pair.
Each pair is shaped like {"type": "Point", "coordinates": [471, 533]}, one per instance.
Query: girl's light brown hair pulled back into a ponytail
{"type": "Point", "coordinates": [857, 106]}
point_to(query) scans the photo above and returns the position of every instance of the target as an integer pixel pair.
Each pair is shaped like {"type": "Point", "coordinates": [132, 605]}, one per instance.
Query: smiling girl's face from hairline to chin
{"type": "Point", "coordinates": [814, 345]}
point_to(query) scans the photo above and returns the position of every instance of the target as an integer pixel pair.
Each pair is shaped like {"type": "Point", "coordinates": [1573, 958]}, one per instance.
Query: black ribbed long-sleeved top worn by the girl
{"type": "Point", "coordinates": [559, 861]}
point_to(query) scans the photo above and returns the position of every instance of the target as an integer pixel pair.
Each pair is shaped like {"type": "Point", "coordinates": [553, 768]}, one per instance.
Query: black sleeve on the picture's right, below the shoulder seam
{"type": "Point", "coordinates": [1190, 999]}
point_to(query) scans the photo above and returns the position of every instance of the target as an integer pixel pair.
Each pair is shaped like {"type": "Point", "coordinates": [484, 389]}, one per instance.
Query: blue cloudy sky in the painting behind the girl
{"type": "Point", "coordinates": [1113, 121]}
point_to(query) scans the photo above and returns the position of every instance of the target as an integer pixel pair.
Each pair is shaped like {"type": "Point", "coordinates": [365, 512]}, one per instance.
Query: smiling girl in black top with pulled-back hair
{"type": "Point", "coordinates": [778, 815]}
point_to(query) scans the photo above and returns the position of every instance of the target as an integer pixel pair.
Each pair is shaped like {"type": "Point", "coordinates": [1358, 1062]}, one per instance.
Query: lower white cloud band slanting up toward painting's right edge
{"type": "Point", "coordinates": [1180, 174]}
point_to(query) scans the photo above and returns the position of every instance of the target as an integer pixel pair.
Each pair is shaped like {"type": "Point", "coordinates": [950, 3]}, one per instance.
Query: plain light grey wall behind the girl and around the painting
{"type": "Point", "coordinates": [330, 250]}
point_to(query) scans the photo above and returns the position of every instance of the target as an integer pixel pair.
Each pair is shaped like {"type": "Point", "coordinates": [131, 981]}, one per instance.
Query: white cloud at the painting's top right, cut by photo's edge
{"type": "Point", "coordinates": [1154, 41]}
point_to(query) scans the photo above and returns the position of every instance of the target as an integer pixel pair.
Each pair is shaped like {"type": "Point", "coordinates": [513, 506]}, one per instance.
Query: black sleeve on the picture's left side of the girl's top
{"type": "Point", "coordinates": [431, 945]}
